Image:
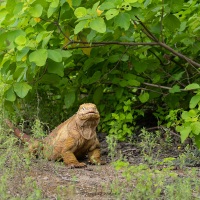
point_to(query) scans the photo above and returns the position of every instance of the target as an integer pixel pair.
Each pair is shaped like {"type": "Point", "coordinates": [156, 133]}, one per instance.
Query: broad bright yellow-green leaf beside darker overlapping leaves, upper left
{"type": "Point", "coordinates": [39, 57]}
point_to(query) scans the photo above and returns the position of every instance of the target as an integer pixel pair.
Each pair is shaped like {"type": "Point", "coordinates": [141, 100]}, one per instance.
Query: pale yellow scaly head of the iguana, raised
{"type": "Point", "coordinates": [88, 111]}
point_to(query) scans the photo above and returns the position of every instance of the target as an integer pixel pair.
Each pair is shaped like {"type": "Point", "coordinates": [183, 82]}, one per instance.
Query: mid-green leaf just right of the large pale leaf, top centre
{"type": "Point", "coordinates": [123, 20]}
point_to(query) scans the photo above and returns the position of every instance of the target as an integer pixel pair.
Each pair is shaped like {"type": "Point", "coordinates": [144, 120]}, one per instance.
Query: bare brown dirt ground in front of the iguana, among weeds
{"type": "Point", "coordinates": [42, 179]}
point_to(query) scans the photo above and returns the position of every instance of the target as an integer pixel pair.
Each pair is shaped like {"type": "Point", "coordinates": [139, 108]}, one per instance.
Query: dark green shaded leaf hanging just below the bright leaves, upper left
{"type": "Point", "coordinates": [56, 68]}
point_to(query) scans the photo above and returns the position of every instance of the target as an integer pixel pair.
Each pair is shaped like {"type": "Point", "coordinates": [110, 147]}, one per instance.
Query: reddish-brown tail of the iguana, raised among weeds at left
{"type": "Point", "coordinates": [22, 136]}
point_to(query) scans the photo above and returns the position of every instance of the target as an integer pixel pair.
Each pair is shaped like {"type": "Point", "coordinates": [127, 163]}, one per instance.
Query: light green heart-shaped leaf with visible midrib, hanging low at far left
{"type": "Point", "coordinates": [21, 89]}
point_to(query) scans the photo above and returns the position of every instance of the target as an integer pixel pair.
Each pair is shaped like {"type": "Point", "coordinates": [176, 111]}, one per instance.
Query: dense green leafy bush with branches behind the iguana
{"type": "Point", "coordinates": [130, 57]}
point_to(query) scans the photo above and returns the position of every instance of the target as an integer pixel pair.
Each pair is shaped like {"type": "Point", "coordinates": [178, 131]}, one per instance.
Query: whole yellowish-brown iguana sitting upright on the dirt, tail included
{"type": "Point", "coordinates": [72, 139]}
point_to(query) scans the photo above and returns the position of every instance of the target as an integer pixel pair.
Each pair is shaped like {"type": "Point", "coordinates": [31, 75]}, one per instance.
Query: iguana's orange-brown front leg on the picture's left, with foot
{"type": "Point", "coordinates": [68, 156]}
